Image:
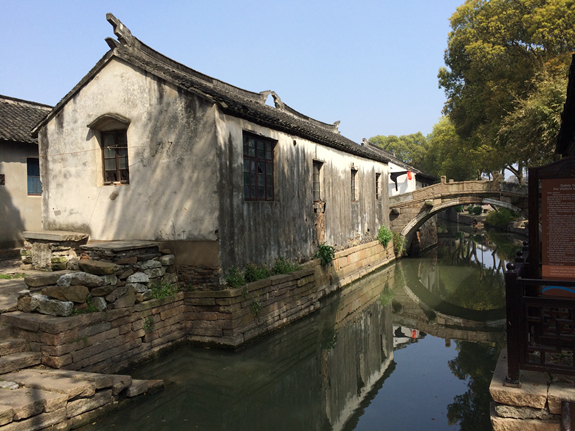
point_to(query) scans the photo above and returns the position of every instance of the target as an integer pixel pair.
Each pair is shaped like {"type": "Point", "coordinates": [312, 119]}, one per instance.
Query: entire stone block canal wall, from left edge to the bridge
{"type": "Point", "coordinates": [112, 340]}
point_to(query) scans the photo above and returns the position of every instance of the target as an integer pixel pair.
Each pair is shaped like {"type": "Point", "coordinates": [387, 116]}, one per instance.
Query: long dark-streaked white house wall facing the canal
{"type": "Point", "coordinates": [261, 231]}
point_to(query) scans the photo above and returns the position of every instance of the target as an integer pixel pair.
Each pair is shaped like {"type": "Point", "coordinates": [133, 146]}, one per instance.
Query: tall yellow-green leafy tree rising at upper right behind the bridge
{"type": "Point", "coordinates": [498, 51]}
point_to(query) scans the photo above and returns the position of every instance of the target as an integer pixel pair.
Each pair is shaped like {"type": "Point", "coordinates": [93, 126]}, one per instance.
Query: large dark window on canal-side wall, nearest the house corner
{"type": "Point", "coordinates": [258, 167]}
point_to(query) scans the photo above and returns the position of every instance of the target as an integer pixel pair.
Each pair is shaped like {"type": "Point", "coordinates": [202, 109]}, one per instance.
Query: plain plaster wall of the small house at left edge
{"type": "Point", "coordinates": [18, 211]}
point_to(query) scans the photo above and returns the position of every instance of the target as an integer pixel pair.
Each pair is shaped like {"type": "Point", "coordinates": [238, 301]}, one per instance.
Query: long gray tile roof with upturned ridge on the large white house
{"type": "Point", "coordinates": [231, 100]}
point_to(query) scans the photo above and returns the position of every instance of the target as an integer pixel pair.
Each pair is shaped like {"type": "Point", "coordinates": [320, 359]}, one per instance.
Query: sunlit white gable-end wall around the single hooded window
{"type": "Point", "coordinates": [171, 146]}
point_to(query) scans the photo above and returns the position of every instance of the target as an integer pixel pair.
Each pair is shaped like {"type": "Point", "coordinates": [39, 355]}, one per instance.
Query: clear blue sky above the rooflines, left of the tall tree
{"type": "Point", "coordinates": [370, 64]}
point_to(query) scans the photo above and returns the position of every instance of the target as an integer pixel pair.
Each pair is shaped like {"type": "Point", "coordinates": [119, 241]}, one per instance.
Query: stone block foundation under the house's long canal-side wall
{"type": "Point", "coordinates": [233, 316]}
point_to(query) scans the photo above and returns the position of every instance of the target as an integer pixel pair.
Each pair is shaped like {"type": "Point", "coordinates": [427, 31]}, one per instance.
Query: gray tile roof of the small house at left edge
{"type": "Point", "coordinates": [18, 118]}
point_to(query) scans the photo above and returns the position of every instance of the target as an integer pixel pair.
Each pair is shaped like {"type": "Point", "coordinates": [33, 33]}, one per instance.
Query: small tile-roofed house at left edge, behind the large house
{"type": "Point", "coordinates": [20, 186]}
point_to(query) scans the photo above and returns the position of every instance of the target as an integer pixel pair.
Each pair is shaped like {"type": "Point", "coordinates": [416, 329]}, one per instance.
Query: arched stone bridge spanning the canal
{"type": "Point", "coordinates": [410, 210]}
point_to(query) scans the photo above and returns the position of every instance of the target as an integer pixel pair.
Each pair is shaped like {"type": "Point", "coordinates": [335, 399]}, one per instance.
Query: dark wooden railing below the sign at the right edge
{"type": "Point", "coordinates": [540, 329]}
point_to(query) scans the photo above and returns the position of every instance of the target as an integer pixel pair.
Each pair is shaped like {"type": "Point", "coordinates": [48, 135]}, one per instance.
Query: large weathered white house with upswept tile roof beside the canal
{"type": "Point", "coordinates": [145, 148]}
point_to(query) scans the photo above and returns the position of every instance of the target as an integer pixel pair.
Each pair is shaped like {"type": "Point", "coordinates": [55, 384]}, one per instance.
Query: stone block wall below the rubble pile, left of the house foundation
{"type": "Point", "coordinates": [103, 341]}
